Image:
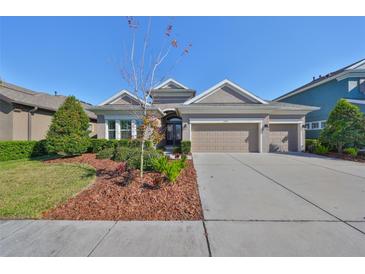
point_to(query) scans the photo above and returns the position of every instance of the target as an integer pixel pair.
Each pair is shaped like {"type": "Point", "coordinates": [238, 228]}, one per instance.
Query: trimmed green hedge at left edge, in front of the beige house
{"type": "Point", "coordinates": [13, 150]}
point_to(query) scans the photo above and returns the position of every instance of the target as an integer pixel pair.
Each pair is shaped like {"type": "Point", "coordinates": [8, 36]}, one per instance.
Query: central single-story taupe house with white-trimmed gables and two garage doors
{"type": "Point", "coordinates": [224, 118]}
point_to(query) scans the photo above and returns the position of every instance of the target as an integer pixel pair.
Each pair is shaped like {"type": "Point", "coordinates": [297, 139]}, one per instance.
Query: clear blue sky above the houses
{"type": "Point", "coordinates": [266, 55]}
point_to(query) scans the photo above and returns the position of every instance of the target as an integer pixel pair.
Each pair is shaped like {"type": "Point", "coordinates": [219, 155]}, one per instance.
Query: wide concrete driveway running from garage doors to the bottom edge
{"type": "Point", "coordinates": [282, 205]}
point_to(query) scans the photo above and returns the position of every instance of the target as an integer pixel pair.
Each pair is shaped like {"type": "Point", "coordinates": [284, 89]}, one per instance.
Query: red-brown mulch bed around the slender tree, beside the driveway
{"type": "Point", "coordinates": [108, 199]}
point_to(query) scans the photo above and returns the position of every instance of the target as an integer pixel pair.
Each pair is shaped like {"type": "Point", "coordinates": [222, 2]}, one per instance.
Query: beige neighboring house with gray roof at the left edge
{"type": "Point", "coordinates": [27, 115]}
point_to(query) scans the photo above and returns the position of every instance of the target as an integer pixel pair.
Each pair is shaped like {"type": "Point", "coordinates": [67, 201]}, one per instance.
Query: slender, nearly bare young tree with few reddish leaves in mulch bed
{"type": "Point", "coordinates": [143, 69]}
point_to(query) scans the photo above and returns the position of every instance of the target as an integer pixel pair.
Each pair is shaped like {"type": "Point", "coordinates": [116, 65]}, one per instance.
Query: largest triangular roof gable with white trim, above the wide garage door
{"type": "Point", "coordinates": [226, 92]}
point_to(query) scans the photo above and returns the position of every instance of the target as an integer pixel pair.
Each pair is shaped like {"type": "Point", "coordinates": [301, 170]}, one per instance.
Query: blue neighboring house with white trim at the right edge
{"type": "Point", "coordinates": [325, 91]}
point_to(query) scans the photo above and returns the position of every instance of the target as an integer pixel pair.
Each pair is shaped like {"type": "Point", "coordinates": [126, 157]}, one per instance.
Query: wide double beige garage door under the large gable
{"type": "Point", "coordinates": [224, 137]}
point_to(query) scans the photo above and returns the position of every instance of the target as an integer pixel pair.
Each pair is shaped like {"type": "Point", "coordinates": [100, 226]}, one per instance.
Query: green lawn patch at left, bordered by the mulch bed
{"type": "Point", "coordinates": [30, 187]}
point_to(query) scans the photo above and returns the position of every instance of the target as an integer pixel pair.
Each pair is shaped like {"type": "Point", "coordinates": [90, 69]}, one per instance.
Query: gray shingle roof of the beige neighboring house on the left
{"type": "Point", "coordinates": [23, 96]}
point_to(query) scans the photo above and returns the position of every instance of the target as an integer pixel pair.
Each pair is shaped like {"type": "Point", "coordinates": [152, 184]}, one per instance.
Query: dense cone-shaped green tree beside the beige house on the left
{"type": "Point", "coordinates": [68, 133]}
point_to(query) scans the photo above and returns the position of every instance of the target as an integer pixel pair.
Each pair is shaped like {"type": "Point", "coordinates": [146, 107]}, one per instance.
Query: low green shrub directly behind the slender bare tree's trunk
{"type": "Point", "coordinates": [133, 157]}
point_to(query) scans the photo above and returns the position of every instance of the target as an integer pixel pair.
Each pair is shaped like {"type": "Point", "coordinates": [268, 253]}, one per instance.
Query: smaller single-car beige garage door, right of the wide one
{"type": "Point", "coordinates": [283, 137]}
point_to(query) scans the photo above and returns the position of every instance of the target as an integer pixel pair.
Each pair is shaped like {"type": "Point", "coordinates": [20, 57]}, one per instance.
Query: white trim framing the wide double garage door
{"type": "Point", "coordinates": [259, 123]}
